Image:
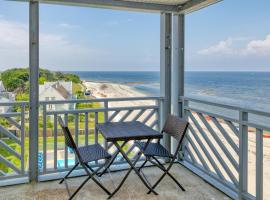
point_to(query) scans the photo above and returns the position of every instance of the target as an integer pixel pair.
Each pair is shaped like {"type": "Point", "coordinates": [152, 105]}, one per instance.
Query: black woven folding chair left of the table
{"type": "Point", "coordinates": [84, 155]}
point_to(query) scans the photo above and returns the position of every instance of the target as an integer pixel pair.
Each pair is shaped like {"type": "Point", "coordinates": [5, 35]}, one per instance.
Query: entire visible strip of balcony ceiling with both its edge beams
{"type": "Point", "coordinates": [175, 6]}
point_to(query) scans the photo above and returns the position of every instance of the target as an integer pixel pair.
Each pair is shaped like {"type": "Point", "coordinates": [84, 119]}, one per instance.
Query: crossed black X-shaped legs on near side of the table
{"type": "Point", "coordinates": [132, 167]}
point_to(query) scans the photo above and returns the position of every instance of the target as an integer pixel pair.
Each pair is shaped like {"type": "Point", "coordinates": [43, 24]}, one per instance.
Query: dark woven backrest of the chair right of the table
{"type": "Point", "coordinates": [175, 127]}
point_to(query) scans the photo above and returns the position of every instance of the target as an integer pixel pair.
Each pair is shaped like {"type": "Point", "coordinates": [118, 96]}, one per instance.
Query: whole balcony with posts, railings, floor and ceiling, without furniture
{"type": "Point", "coordinates": [223, 155]}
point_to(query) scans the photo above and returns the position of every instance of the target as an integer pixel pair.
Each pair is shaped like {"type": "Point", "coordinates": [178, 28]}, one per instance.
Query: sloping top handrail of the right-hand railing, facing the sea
{"type": "Point", "coordinates": [226, 106]}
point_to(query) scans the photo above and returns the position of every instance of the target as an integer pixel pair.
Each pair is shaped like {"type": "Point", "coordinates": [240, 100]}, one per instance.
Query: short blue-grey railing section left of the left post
{"type": "Point", "coordinates": [12, 142]}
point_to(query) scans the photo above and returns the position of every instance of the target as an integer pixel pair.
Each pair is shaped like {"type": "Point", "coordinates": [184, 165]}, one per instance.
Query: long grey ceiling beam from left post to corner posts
{"type": "Point", "coordinates": [115, 4]}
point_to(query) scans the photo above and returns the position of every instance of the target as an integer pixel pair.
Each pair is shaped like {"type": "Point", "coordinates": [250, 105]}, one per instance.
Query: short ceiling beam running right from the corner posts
{"type": "Point", "coordinates": [194, 5]}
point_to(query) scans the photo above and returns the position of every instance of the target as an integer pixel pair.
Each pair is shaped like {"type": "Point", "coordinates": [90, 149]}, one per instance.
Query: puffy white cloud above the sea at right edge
{"type": "Point", "coordinates": [230, 46]}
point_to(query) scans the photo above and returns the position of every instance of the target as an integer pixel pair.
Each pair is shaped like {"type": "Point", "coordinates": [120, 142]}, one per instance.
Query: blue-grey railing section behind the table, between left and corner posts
{"type": "Point", "coordinates": [54, 154]}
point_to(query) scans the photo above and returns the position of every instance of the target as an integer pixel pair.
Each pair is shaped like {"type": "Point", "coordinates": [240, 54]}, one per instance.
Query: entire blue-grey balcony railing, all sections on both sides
{"type": "Point", "coordinates": [216, 146]}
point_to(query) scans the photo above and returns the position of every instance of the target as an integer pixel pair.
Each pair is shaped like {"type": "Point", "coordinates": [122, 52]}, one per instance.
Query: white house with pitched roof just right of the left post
{"type": "Point", "coordinates": [61, 90]}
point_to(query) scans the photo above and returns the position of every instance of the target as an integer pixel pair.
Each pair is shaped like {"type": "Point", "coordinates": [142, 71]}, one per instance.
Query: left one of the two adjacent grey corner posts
{"type": "Point", "coordinates": [165, 70]}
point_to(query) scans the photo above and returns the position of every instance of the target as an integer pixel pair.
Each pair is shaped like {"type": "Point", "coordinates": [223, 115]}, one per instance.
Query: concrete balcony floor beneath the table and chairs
{"type": "Point", "coordinates": [196, 188]}
